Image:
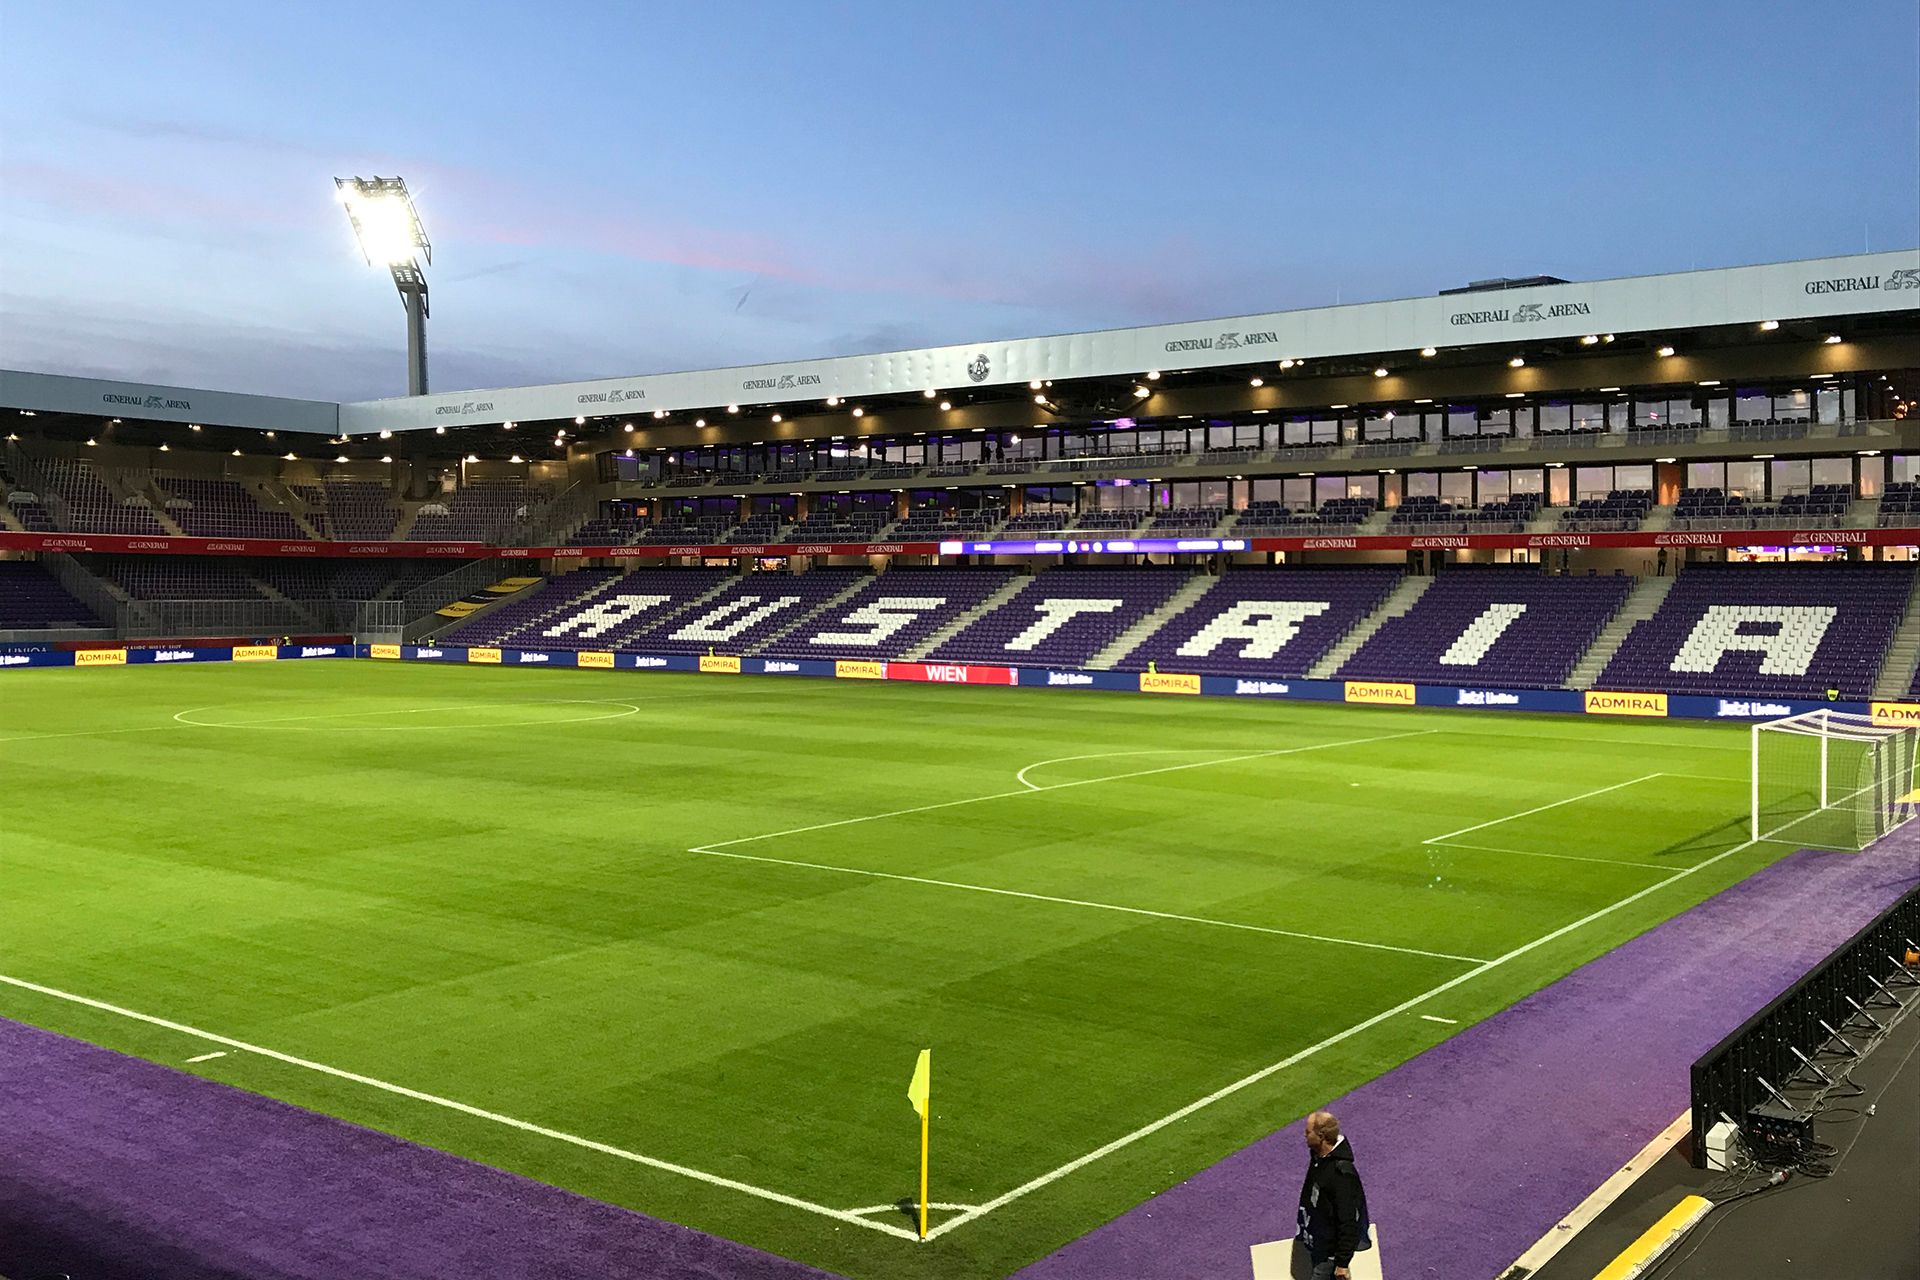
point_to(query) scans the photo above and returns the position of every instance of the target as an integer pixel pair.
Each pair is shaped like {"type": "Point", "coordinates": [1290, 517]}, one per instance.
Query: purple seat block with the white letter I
{"type": "Point", "coordinates": [1512, 628]}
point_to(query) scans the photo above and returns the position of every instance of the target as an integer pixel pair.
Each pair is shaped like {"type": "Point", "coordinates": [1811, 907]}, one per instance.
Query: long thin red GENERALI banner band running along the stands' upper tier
{"type": "Point", "coordinates": [122, 544]}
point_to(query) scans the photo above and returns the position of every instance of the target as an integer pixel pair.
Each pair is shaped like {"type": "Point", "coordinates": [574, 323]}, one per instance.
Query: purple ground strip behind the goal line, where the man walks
{"type": "Point", "coordinates": [1479, 1147]}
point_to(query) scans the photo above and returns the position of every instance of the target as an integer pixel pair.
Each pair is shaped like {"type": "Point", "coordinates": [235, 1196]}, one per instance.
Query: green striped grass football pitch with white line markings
{"type": "Point", "coordinates": [1097, 911]}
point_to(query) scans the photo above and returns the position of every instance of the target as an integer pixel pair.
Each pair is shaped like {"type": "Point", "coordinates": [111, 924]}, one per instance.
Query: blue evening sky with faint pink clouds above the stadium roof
{"type": "Point", "coordinates": [642, 187]}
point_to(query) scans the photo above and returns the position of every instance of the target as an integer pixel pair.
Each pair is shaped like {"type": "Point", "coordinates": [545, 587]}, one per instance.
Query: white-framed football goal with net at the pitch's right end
{"type": "Point", "coordinates": [1833, 780]}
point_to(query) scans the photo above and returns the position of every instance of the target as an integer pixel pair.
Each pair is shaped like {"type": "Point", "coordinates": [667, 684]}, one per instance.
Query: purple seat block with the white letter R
{"type": "Point", "coordinates": [1270, 623]}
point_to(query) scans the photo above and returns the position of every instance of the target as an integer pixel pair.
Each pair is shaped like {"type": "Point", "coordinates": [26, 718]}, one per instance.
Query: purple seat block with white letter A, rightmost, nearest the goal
{"type": "Point", "coordinates": [1769, 630]}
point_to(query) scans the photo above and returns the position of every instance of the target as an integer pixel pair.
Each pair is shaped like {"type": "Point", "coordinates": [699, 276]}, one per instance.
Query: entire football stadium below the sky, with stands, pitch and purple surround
{"type": "Point", "coordinates": [571, 811]}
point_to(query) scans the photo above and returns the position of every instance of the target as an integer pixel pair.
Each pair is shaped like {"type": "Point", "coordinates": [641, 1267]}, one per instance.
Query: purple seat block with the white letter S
{"type": "Point", "coordinates": [890, 617]}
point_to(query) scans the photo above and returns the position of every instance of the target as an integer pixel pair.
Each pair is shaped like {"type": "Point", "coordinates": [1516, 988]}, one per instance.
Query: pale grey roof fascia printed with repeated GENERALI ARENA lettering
{"type": "Point", "coordinates": [1568, 312]}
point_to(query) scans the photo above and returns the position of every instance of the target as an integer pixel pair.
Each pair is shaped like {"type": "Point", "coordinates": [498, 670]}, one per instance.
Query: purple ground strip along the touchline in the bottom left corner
{"type": "Point", "coordinates": [120, 1170]}
